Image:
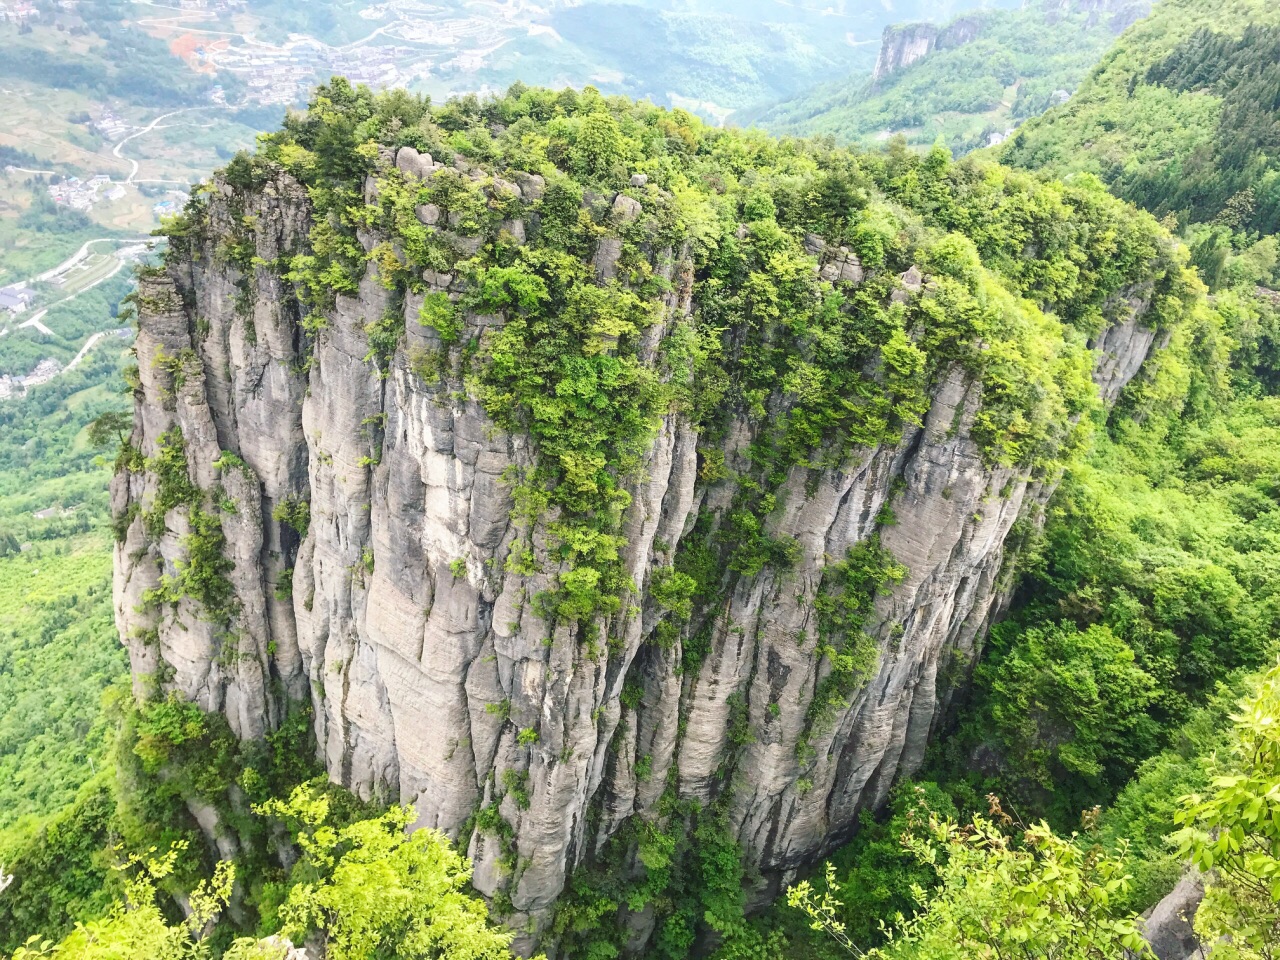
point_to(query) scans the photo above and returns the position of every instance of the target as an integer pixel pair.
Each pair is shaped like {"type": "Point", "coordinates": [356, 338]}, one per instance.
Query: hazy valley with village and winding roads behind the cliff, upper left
{"type": "Point", "coordinates": [172, 89]}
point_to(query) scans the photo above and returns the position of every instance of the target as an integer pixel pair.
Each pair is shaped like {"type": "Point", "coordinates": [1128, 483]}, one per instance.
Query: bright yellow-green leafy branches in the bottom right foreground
{"type": "Point", "coordinates": [1034, 894]}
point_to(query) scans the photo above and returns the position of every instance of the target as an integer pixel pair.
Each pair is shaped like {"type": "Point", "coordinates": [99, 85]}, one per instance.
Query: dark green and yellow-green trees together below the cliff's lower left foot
{"type": "Point", "coordinates": [362, 885]}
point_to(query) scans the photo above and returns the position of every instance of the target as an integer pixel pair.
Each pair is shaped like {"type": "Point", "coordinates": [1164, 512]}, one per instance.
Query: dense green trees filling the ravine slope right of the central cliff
{"type": "Point", "coordinates": [1142, 614]}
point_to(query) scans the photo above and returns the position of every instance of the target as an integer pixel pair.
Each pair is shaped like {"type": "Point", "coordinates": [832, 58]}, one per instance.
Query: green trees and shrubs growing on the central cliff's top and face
{"type": "Point", "coordinates": [588, 359]}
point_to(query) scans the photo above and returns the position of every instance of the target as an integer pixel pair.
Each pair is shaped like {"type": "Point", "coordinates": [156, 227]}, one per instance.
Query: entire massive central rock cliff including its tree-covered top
{"type": "Point", "coordinates": [342, 488]}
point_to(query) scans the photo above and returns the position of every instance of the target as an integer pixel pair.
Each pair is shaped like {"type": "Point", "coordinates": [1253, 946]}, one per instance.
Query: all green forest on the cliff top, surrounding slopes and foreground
{"type": "Point", "coordinates": [1121, 725]}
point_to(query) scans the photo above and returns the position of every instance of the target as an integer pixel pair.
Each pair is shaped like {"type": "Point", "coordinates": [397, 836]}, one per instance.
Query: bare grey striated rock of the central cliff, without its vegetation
{"type": "Point", "coordinates": [399, 611]}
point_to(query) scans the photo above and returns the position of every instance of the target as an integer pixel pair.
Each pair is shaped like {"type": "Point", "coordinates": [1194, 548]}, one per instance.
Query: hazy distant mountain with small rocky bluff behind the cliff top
{"type": "Point", "coordinates": [970, 81]}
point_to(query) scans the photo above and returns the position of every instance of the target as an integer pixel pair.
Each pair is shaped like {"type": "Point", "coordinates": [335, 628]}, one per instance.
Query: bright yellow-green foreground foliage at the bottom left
{"type": "Point", "coordinates": [363, 892]}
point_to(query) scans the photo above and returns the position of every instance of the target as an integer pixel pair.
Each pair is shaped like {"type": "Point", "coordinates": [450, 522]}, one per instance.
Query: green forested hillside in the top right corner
{"type": "Point", "coordinates": [1182, 117]}
